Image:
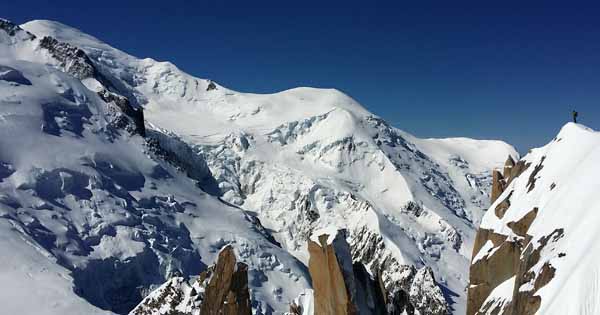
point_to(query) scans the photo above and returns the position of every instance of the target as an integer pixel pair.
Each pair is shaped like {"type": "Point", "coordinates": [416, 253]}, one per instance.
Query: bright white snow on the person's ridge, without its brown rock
{"type": "Point", "coordinates": [562, 182]}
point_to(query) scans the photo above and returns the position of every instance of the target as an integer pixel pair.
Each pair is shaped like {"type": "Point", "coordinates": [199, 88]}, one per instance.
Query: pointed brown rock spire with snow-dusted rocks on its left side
{"type": "Point", "coordinates": [222, 289]}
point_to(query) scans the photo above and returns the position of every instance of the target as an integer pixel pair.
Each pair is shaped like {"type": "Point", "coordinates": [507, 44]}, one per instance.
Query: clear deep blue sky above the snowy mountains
{"type": "Point", "coordinates": [436, 69]}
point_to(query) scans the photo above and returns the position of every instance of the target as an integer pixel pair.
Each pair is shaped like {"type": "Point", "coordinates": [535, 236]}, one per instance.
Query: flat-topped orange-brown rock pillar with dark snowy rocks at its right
{"type": "Point", "coordinates": [341, 287]}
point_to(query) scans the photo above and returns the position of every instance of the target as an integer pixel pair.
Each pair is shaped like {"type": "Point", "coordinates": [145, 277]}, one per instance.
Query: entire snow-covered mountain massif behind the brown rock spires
{"type": "Point", "coordinates": [121, 172]}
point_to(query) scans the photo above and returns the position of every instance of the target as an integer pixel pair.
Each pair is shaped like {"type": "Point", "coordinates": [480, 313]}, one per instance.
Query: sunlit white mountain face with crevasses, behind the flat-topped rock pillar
{"type": "Point", "coordinates": [306, 158]}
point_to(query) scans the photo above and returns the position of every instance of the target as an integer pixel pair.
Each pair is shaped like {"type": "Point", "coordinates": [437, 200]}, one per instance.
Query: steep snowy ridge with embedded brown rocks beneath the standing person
{"type": "Point", "coordinates": [553, 218]}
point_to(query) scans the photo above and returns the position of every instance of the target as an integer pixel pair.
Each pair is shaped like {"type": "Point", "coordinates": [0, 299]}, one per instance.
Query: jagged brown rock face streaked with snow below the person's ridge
{"type": "Point", "coordinates": [510, 259]}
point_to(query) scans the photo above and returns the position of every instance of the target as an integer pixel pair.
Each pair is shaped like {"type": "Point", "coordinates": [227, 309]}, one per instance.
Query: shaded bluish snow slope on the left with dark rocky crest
{"type": "Point", "coordinates": [92, 215]}
